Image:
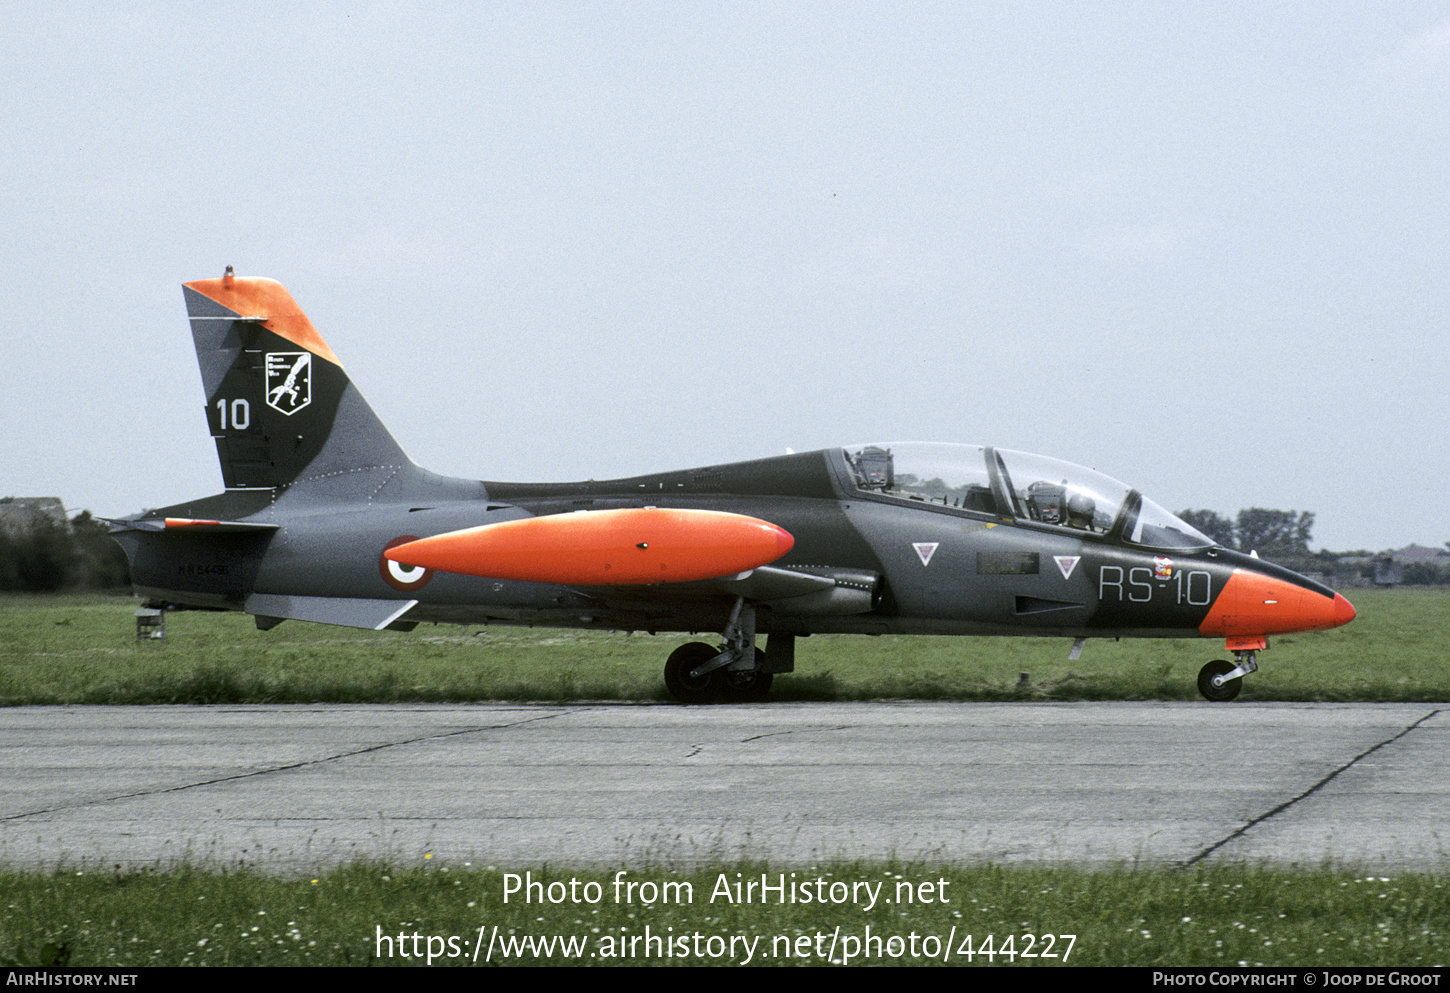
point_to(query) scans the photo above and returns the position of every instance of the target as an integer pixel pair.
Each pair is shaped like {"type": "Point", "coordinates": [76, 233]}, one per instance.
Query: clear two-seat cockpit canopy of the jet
{"type": "Point", "coordinates": [1020, 486]}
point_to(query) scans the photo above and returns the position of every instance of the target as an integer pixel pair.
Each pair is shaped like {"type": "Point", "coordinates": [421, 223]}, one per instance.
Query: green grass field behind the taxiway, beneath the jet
{"type": "Point", "coordinates": [83, 650]}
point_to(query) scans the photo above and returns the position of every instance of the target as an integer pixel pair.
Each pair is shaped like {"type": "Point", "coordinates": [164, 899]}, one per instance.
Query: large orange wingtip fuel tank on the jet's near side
{"type": "Point", "coordinates": [629, 547]}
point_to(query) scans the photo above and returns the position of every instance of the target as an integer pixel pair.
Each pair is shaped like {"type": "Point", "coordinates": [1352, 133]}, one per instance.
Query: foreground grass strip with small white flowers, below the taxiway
{"type": "Point", "coordinates": [1209, 917]}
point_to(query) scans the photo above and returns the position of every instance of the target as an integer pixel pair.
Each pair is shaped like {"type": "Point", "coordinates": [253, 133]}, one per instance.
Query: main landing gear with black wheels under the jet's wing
{"type": "Point", "coordinates": [734, 672]}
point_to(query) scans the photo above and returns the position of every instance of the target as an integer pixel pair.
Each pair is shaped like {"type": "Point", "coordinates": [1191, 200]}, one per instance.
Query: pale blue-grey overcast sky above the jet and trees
{"type": "Point", "coordinates": [1200, 247]}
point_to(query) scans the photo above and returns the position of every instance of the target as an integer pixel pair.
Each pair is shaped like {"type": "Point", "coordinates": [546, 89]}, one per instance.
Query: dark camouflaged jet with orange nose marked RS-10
{"type": "Point", "coordinates": [324, 518]}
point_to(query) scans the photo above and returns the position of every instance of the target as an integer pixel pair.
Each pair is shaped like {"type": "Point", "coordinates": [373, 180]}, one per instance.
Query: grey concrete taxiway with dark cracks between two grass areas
{"type": "Point", "coordinates": [295, 788]}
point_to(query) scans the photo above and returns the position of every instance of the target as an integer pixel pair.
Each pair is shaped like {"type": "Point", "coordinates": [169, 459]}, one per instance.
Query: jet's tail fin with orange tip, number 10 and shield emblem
{"type": "Point", "coordinates": [278, 402]}
